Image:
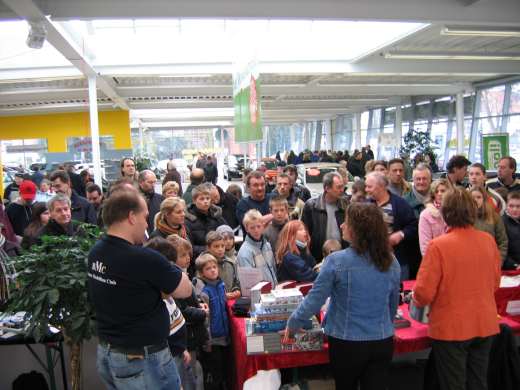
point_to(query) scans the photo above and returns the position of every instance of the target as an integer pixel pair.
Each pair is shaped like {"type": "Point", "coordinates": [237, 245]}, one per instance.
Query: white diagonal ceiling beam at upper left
{"type": "Point", "coordinates": [57, 37]}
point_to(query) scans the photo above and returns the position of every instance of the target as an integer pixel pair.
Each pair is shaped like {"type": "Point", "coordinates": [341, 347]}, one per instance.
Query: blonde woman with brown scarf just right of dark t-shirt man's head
{"type": "Point", "coordinates": [170, 219]}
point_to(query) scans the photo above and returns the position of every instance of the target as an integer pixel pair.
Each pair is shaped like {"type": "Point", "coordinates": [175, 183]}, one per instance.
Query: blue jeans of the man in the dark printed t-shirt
{"type": "Point", "coordinates": [155, 371]}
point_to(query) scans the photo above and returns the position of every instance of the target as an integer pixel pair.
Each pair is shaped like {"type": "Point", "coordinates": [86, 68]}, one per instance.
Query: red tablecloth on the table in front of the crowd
{"type": "Point", "coordinates": [411, 339]}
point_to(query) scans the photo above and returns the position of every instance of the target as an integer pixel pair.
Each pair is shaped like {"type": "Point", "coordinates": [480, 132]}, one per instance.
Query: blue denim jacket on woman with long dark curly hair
{"type": "Point", "coordinates": [363, 300]}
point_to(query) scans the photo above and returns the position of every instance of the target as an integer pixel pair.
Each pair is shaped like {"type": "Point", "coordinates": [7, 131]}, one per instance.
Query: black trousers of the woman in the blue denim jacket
{"type": "Point", "coordinates": [363, 362]}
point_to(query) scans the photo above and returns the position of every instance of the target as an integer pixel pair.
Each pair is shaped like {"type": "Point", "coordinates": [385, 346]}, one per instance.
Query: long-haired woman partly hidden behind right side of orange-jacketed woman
{"type": "Point", "coordinates": [488, 219]}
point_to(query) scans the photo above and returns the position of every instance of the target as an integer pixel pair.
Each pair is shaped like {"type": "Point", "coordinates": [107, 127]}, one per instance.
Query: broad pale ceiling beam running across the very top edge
{"type": "Point", "coordinates": [489, 12]}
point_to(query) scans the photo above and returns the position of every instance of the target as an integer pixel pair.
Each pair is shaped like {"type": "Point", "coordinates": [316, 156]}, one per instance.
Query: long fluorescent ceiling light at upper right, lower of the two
{"type": "Point", "coordinates": [452, 56]}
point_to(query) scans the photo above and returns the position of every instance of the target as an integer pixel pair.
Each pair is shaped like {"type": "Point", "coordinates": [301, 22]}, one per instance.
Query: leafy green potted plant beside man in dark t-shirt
{"type": "Point", "coordinates": [51, 280]}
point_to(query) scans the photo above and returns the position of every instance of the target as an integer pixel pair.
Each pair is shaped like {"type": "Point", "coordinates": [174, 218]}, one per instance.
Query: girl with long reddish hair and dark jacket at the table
{"type": "Point", "coordinates": [293, 258]}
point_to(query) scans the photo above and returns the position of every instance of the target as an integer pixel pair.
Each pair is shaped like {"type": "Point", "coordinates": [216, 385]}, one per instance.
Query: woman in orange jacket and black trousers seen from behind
{"type": "Point", "coordinates": [459, 275]}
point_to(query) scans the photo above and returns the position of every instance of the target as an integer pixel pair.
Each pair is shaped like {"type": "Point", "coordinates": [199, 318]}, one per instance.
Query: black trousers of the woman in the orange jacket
{"type": "Point", "coordinates": [462, 365]}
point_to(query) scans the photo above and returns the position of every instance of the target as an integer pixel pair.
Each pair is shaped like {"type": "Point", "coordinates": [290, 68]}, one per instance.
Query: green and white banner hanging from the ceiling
{"type": "Point", "coordinates": [246, 101]}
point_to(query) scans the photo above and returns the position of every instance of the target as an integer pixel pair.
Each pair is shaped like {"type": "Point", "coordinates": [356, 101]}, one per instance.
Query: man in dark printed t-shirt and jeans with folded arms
{"type": "Point", "coordinates": [126, 283]}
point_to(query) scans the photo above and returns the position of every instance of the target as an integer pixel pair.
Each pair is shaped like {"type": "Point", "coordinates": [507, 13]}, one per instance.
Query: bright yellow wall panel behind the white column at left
{"type": "Point", "coordinates": [56, 128]}
